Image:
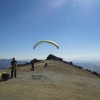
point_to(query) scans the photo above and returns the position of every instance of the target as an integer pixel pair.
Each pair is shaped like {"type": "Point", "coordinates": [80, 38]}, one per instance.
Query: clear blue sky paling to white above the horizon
{"type": "Point", "coordinates": [73, 24]}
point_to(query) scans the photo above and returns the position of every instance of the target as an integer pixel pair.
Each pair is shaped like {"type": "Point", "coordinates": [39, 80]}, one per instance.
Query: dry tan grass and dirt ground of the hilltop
{"type": "Point", "coordinates": [58, 81]}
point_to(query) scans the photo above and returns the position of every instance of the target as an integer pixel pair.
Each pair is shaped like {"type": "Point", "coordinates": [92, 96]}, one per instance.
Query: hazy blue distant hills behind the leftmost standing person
{"type": "Point", "coordinates": [6, 63]}
